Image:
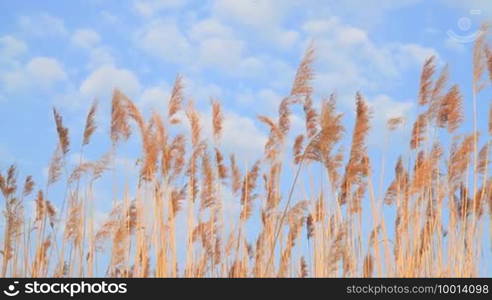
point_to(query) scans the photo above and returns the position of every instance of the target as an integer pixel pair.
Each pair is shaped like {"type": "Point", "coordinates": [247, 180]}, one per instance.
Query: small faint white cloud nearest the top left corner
{"type": "Point", "coordinates": [43, 25]}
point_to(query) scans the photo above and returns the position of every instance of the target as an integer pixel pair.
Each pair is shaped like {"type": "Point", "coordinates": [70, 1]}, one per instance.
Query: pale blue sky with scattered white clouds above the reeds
{"type": "Point", "coordinates": [243, 52]}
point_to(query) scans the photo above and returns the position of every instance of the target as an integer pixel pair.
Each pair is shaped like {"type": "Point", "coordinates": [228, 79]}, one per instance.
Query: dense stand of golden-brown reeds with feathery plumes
{"type": "Point", "coordinates": [441, 196]}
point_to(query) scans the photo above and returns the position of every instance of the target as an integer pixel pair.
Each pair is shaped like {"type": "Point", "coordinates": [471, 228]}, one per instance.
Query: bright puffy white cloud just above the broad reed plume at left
{"type": "Point", "coordinates": [103, 80]}
